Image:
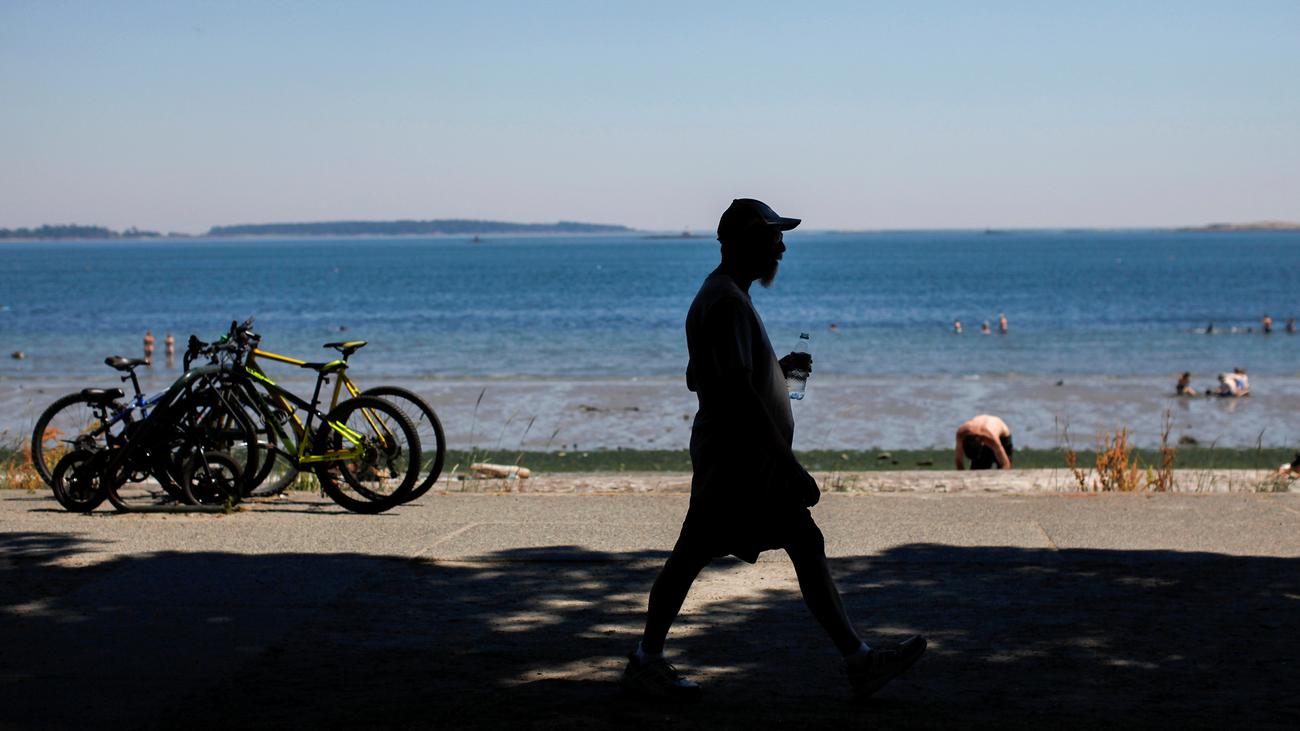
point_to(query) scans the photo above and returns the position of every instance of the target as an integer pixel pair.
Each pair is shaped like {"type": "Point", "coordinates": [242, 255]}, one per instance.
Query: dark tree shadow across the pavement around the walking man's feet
{"type": "Point", "coordinates": [535, 639]}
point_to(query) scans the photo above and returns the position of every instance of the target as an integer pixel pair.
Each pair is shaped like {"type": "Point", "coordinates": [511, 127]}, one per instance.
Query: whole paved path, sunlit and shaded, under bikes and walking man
{"type": "Point", "coordinates": [479, 609]}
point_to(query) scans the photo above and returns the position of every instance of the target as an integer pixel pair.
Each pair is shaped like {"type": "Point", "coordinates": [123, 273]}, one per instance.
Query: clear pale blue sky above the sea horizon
{"type": "Point", "coordinates": [180, 115]}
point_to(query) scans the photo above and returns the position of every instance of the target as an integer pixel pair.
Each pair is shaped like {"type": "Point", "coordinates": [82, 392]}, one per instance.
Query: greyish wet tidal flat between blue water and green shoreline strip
{"type": "Point", "coordinates": [839, 413]}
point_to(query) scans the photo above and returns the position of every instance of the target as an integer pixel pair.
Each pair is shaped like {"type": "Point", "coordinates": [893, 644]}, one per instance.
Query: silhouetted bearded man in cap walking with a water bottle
{"type": "Point", "coordinates": [748, 494]}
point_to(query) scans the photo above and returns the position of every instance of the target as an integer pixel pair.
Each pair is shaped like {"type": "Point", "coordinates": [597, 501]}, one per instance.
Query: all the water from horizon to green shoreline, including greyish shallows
{"type": "Point", "coordinates": [1111, 313]}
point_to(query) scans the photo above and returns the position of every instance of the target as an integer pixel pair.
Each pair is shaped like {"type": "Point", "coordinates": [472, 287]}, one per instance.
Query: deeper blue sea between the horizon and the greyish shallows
{"type": "Point", "coordinates": [1103, 304]}
